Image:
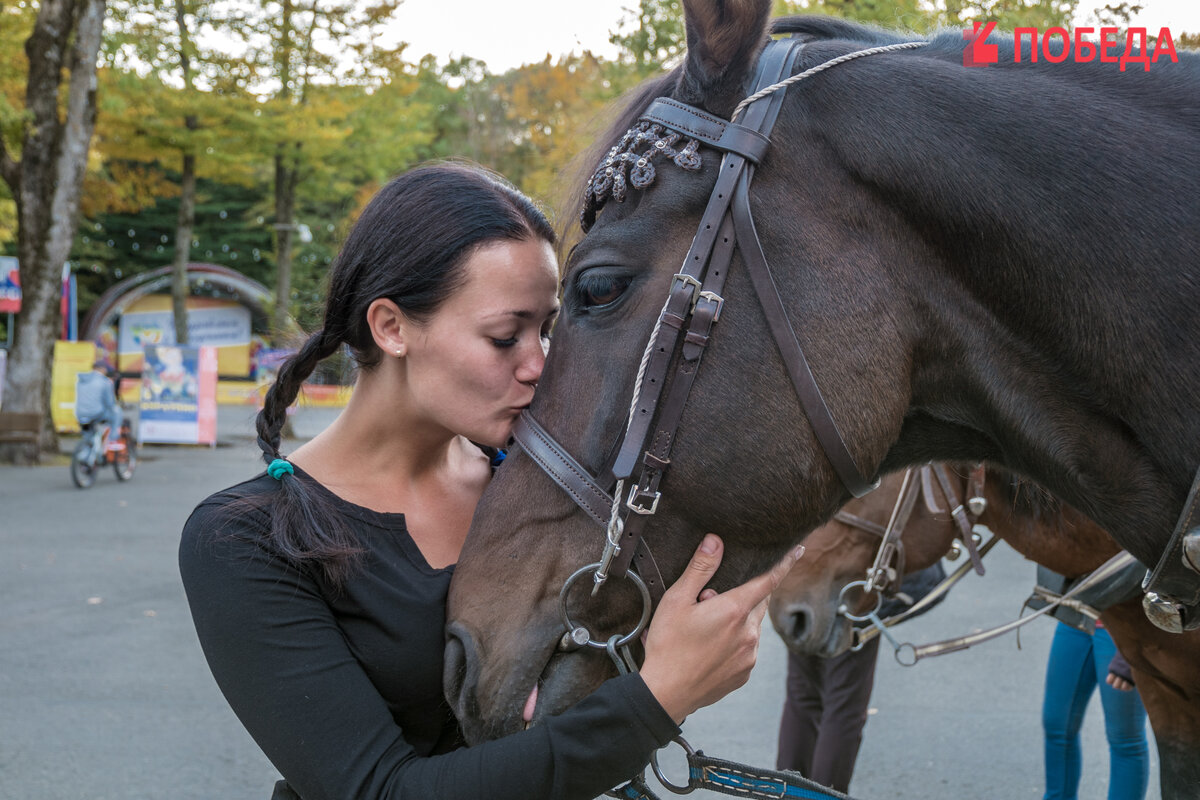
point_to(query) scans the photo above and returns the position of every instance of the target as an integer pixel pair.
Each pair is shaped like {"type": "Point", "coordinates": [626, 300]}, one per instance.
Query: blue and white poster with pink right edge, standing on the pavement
{"type": "Point", "coordinates": [179, 395]}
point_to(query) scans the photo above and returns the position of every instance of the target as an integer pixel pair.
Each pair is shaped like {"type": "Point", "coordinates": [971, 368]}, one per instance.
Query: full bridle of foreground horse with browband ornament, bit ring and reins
{"type": "Point", "coordinates": [686, 326]}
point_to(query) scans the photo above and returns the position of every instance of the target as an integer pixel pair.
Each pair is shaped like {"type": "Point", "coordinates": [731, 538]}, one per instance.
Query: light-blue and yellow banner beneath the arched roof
{"type": "Point", "coordinates": [224, 324]}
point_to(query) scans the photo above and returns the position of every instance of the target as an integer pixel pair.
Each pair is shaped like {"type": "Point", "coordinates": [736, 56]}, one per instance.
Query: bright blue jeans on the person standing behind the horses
{"type": "Point", "coordinates": [1079, 663]}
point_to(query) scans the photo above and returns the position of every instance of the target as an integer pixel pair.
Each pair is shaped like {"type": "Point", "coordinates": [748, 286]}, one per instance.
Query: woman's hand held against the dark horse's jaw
{"type": "Point", "coordinates": [703, 646]}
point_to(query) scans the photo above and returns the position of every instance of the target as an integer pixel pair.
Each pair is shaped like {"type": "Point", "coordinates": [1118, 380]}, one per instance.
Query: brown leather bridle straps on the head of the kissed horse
{"type": "Point", "coordinates": [683, 333]}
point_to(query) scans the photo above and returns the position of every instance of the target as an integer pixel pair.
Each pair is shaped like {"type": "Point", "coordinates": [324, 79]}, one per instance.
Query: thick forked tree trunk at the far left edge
{"type": "Point", "coordinates": [44, 154]}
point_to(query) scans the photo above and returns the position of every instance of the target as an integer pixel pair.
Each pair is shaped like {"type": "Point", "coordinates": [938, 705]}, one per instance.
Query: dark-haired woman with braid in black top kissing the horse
{"type": "Point", "coordinates": [319, 588]}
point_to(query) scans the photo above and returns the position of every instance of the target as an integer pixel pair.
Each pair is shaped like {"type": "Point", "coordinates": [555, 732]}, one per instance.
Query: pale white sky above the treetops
{"type": "Point", "coordinates": [507, 34]}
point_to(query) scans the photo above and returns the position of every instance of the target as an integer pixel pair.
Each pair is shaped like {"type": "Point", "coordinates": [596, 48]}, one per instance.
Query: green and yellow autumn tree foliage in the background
{"type": "Point", "coordinates": [317, 85]}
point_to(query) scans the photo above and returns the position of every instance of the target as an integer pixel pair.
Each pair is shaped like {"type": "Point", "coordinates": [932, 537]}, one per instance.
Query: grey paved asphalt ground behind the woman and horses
{"type": "Point", "coordinates": [105, 694]}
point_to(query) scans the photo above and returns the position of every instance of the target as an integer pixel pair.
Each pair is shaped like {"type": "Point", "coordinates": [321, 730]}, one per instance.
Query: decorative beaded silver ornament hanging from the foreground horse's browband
{"type": "Point", "coordinates": [610, 178]}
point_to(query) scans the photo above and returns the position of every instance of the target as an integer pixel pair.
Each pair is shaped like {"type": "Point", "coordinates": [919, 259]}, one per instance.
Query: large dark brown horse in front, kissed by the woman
{"type": "Point", "coordinates": [985, 264]}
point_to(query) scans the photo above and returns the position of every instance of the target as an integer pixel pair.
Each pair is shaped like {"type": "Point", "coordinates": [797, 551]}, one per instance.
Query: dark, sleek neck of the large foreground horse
{"type": "Point", "coordinates": [1053, 288]}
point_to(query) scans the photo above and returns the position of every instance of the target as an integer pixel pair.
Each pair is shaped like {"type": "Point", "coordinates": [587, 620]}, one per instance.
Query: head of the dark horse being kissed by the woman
{"type": "Point", "coordinates": [745, 461]}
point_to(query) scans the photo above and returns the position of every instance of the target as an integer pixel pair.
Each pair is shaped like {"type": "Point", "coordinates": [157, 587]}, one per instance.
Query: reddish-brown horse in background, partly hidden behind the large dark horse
{"type": "Point", "coordinates": [805, 610]}
